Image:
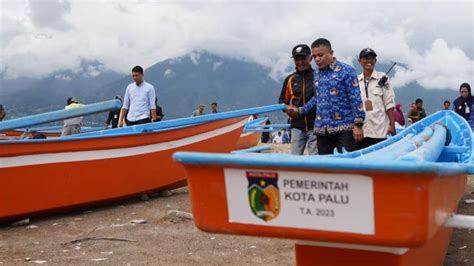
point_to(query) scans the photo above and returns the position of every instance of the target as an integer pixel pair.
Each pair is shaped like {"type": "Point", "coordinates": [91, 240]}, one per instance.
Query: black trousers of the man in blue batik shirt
{"type": "Point", "coordinates": [327, 143]}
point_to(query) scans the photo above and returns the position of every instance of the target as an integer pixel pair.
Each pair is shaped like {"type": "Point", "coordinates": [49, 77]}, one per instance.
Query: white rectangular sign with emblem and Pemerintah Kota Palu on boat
{"type": "Point", "coordinates": [318, 201]}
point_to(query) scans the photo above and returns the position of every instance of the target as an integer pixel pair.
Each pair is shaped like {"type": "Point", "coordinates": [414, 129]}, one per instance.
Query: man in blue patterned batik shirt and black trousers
{"type": "Point", "coordinates": [336, 102]}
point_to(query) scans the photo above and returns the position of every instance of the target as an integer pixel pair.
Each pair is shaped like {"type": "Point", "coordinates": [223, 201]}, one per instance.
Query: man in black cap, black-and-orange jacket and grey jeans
{"type": "Point", "coordinates": [296, 91]}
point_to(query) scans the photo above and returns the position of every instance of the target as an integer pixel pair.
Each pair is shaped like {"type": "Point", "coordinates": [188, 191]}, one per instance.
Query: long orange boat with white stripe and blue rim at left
{"type": "Point", "coordinates": [46, 175]}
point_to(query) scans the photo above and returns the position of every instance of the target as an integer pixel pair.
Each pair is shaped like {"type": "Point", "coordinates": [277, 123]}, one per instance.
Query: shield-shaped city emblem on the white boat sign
{"type": "Point", "coordinates": [264, 195]}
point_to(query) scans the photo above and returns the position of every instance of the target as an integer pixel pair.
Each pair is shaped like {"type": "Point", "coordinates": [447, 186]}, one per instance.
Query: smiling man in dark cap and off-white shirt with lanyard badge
{"type": "Point", "coordinates": [378, 98]}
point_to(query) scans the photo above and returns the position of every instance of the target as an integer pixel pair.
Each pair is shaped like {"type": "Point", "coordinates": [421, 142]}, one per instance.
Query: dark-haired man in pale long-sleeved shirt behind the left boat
{"type": "Point", "coordinates": [139, 101]}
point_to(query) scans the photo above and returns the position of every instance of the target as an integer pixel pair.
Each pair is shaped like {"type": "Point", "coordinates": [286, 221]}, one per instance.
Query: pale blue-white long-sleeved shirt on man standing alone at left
{"type": "Point", "coordinates": [139, 100]}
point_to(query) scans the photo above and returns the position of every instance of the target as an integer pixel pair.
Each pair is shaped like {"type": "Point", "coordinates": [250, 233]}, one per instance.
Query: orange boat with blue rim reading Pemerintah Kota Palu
{"type": "Point", "coordinates": [393, 203]}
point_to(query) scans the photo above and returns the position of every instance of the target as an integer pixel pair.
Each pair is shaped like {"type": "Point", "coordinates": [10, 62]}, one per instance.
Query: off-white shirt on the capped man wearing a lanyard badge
{"type": "Point", "coordinates": [376, 122]}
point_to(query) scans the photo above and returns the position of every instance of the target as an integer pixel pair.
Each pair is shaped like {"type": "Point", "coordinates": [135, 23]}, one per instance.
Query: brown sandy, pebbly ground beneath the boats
{"type": "Point", "coordinates": [107, 235]}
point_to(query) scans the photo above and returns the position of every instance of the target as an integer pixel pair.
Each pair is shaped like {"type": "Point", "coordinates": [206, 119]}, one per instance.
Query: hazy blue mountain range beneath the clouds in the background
{"type": "Point", "coordinates": [181, 84]}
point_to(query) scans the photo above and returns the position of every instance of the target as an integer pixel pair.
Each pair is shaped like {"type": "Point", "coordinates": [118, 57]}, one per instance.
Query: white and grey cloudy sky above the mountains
{"type": "Point", "coordinates": [435, 41]}
